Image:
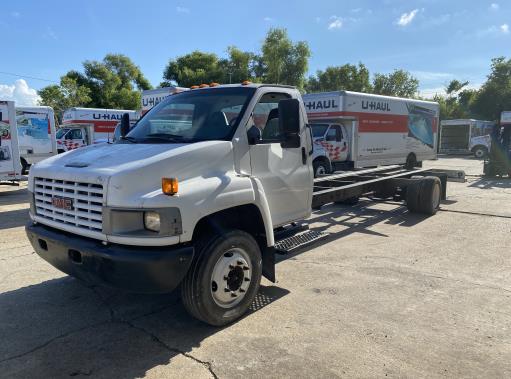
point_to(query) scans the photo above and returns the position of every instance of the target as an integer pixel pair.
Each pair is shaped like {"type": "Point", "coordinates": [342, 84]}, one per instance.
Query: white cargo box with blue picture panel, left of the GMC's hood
{"type": "Point", "coordinates": [36, 134]}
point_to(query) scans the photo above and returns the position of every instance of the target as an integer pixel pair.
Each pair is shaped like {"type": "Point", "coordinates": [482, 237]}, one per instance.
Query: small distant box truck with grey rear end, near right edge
{"type": "Point", "coordinates": [465, 136]}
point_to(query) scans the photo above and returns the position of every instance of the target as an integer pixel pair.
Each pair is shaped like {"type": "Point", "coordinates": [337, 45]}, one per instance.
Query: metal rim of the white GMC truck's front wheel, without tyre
{"type": "Point", "coordinates": [231, 278]}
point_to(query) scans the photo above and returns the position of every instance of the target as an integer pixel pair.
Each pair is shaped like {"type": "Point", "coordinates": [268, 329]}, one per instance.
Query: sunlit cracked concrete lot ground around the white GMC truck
{"type": "Point", "coordinates": [387, 294]}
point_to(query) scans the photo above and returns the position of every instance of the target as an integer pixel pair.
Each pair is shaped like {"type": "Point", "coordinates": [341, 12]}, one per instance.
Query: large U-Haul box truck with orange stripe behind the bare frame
{"type": "Point", "coordinates": [354, 130]}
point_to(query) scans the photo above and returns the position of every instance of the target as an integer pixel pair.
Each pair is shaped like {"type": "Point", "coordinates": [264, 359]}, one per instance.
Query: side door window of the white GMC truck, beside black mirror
{"type": "Point", "coordinates": [266, 116]}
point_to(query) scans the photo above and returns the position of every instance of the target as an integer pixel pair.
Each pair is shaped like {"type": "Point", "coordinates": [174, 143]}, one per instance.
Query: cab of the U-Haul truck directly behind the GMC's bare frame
{"type": "Point", "coordinates": [331, 147]}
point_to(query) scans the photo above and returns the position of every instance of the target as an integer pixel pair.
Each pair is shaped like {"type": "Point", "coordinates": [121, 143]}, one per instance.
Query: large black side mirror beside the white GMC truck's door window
{"type": "Point", "coordinates": [289, 123]}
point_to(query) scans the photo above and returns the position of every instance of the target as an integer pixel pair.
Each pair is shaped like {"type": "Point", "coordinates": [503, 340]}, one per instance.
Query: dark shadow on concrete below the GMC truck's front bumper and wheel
{"type": "Point", "coordinates": [62, 327]}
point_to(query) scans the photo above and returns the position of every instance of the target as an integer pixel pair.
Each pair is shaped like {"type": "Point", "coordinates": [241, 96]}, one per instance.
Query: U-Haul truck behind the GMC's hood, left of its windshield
{"type": "Point", "coordinates": [86, 126]}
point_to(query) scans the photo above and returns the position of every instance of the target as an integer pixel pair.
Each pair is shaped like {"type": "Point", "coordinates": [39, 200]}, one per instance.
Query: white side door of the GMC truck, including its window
{"type": "Point", "coordinates": [285, 173]}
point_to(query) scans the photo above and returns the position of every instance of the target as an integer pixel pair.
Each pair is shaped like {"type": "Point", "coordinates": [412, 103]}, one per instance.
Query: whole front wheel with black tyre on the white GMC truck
{"type": "Point", "coordinates": [223, 279]}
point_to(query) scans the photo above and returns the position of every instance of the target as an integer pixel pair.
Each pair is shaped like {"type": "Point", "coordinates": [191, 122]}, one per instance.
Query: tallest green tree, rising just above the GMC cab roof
{"type": "Point", "coordinates": [283, 61]}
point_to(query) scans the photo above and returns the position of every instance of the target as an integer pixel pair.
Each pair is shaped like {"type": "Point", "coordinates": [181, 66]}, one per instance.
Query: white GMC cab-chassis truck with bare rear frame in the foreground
{"type": "Point", "coordinates": [200, 194]}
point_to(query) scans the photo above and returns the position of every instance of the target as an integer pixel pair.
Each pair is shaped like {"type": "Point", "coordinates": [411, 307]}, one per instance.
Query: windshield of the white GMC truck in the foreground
{"type": "Point", "coordinates": [200, 115]}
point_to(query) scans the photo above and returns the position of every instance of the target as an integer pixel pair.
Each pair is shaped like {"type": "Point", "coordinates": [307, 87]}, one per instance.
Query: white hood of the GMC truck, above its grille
{"type": "Point", "coordinates": [98, 162]}
